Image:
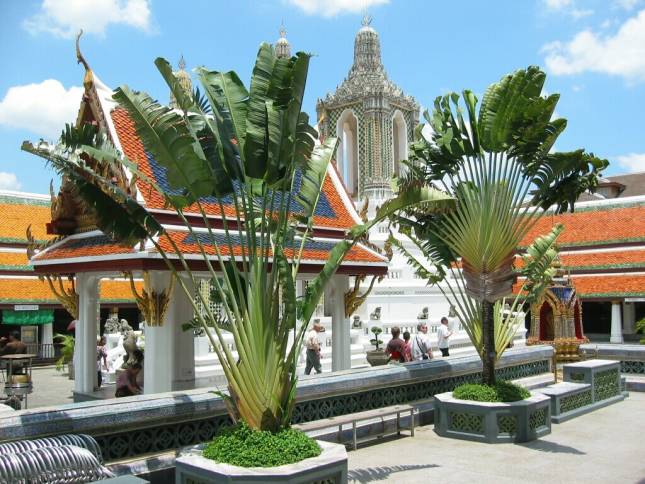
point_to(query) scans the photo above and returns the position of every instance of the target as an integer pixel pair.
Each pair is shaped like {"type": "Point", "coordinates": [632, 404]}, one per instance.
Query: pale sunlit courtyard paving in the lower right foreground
{"type": "Point", "coordinates": [605, 446]}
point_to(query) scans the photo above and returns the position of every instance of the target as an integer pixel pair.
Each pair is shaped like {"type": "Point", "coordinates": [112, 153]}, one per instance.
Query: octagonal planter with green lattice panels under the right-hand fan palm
{"type": "Point", "coordinates": [492, 422]}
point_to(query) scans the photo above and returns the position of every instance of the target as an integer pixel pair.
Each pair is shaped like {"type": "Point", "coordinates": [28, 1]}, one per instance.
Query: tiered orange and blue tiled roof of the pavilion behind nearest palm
{"type": "Point", "coordinates": [335, 213]}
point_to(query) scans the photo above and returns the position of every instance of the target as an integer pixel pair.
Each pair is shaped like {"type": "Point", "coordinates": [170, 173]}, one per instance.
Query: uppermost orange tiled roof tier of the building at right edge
{"type": "Point", "coordinates": [594, 225]}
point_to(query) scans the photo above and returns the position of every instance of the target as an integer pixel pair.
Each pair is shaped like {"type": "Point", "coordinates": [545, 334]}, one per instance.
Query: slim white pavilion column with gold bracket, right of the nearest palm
{"type": "Point", "coordinates": [341, 357]}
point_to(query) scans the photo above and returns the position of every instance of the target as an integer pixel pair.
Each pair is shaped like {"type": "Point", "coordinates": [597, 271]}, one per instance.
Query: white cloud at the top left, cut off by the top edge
{"type": "Point", "coordinates": [64, 18]}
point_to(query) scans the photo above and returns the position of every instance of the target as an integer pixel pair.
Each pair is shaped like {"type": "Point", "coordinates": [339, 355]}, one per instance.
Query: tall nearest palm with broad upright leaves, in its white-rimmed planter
{"type": "Point", "coordinates": [249, 154]}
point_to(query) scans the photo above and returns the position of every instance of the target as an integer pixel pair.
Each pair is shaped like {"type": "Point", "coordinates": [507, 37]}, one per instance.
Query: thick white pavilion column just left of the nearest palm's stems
{"type": "Point", "coordinates": [169, 362]}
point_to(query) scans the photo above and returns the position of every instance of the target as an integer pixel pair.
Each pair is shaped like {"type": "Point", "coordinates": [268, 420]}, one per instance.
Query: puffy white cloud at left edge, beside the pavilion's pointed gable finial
{"type": "Point", "coordinates": [41, 108]}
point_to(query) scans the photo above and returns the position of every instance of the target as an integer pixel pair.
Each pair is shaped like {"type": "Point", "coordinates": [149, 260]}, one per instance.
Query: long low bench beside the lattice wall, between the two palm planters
{"type": "Point", "coordinates": [354, 418]}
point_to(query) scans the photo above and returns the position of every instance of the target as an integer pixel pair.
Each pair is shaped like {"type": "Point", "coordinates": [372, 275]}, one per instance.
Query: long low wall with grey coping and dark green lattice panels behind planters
{"type": "Point", "coordinates": [145, 424]}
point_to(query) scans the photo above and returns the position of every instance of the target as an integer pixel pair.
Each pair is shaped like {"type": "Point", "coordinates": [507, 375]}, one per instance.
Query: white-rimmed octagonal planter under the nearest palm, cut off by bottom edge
{"type": "Point", "coordinates": [329, 466]}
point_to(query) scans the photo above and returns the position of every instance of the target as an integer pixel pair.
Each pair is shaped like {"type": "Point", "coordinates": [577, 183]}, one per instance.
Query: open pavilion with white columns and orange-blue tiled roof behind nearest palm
{"type": "Point", "coordinates": [88, 254]}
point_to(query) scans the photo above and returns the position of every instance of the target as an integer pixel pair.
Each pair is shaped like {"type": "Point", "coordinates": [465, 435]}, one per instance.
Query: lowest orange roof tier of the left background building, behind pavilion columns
{"type": "Point", "coordinates": [36, 291]}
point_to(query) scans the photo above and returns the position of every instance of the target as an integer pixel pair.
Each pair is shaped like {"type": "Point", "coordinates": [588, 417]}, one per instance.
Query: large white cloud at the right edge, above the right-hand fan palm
{"type": "Point", "coordinates": [621, 55]}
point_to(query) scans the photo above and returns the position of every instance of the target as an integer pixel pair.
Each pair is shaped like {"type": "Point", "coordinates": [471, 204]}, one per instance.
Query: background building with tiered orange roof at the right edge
{"type": "Point", "coordinates": [603, 248]}
